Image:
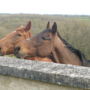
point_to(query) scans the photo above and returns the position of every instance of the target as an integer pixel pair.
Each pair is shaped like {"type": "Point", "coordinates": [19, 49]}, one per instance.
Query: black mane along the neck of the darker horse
{"type": "Point", "coordinates": [74, 50]}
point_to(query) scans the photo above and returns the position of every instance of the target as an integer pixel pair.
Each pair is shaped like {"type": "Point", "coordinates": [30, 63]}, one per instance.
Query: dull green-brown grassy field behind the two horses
{"type": "Point", "coordinates": [74, 29]}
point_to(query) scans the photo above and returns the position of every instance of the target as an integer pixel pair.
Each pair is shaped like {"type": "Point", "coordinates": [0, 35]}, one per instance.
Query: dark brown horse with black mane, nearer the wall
{"type": "Point", "coordinates": [47, 43]}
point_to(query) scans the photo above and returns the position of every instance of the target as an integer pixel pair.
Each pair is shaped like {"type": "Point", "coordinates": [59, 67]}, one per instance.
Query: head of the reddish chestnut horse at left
{"type": "Point", "coordinates": [8, 43]}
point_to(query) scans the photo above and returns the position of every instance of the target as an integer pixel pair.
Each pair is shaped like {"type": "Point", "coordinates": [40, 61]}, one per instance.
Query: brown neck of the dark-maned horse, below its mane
{"type": "Point", "coordinates": [64, 54]}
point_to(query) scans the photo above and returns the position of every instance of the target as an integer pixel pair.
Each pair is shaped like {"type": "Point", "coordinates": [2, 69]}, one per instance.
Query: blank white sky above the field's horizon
{"type": "Point", "coordinates": [78, 7]}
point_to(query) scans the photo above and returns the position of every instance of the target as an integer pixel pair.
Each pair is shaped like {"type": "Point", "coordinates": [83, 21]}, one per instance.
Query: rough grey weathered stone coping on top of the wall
{"type": "Point", "coordinates": [61, 74]}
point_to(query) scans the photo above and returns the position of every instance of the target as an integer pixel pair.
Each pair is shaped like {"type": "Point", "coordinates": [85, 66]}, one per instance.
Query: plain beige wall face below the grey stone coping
{"type": "Point", "coordinates": [13, 83]}
